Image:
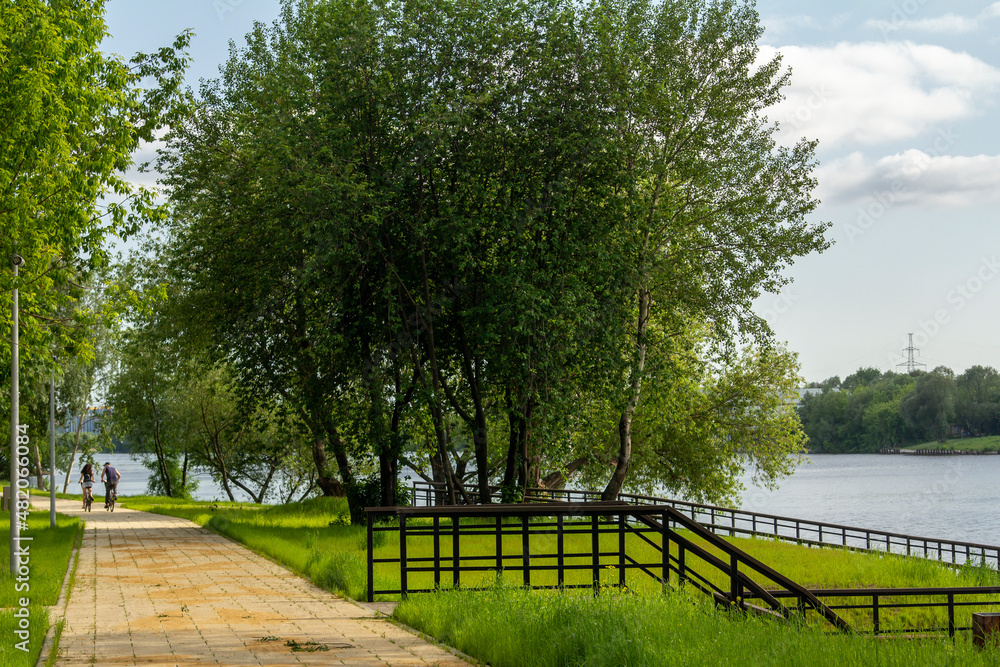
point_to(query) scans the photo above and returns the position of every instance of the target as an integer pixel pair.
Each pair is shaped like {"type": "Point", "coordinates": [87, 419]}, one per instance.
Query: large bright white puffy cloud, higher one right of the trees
{"type": "Point", "coordinates": [877, 92]}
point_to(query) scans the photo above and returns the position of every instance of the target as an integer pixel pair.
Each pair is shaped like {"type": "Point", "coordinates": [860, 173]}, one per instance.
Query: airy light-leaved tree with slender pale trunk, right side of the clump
{"type": "Point", "coordinates": [712, 209]}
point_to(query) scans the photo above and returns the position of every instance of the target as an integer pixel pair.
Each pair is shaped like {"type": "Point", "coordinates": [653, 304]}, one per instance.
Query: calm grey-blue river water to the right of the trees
{"type": "Point", "coordinates": [954, 497]}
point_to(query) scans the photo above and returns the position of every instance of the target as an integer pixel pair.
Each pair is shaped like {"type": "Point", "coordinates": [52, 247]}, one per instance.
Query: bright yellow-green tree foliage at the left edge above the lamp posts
{"type": "Point", "coordinates": [72, 117]}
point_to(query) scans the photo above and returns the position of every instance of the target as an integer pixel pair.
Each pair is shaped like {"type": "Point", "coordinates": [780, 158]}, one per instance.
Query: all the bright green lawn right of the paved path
{"type": "Point", "coordinates": [313, 539]}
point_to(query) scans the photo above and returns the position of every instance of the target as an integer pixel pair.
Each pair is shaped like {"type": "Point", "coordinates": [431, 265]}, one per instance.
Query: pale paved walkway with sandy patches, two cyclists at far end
{"type": "Point", "coordinates": [172, 593]}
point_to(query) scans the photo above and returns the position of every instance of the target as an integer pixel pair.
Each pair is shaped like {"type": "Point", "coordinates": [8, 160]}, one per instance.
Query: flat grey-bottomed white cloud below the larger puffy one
{"type": "Point", "coordinates": [913, 178]}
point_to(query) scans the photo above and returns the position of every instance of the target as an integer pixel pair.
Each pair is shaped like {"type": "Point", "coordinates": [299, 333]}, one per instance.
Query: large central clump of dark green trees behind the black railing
{"type": "Point", "coordinates": [443, 228]}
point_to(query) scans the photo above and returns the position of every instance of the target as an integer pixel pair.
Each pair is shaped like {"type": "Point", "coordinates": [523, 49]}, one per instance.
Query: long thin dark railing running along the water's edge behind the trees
{"type": "Point", "coordinates": [736, 522]}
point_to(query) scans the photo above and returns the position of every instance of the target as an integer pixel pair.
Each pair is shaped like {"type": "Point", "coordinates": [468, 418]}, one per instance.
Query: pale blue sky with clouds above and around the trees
{"type": "Point", "coordinates": [903, 98]}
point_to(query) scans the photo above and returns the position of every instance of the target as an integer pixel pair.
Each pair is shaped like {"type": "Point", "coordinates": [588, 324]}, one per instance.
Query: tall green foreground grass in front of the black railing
{"type": "Point", "coordinates": [515, 627]}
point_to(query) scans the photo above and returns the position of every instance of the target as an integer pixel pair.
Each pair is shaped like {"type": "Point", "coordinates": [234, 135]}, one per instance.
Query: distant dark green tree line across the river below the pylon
{"type": "Point", "coordinates": [870, 410]}
